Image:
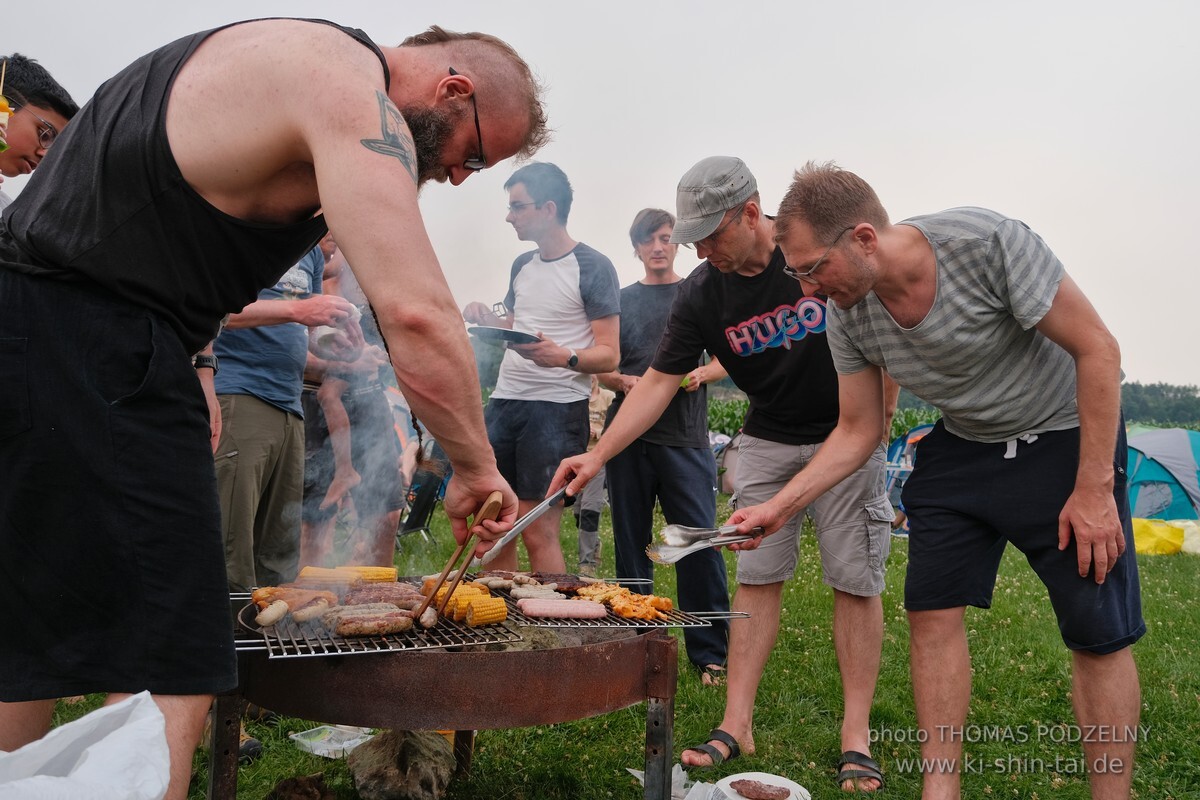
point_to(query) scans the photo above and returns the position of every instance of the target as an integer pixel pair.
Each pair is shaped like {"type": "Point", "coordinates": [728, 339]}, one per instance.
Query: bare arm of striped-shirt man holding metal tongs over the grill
{"type": "Point", "coordinates": [849, 447]}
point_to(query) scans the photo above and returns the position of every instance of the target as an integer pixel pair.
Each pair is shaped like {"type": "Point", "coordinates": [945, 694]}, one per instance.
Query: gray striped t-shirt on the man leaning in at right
{"type": "Point", "coordinates": [976, 357]}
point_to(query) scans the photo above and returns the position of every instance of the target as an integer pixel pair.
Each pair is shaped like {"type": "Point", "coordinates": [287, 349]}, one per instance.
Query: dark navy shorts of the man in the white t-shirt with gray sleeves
{"type": "Point", "coordinates": [531, 438]}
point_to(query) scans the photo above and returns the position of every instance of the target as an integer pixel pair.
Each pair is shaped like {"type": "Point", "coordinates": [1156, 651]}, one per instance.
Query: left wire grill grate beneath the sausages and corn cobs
{"type": "Point", "coordinates": [292, 640]}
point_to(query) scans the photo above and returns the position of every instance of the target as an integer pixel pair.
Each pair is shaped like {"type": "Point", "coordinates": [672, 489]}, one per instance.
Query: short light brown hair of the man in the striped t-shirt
{"type": "Point", "coordinates": [829, 200]}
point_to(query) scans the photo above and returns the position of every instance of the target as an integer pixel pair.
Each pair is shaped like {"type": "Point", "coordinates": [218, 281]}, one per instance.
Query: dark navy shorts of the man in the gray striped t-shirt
{"type": "Point", "coordinates": [967, 502]}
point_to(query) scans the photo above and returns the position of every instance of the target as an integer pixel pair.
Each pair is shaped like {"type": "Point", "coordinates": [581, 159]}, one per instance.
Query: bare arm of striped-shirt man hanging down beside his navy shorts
{"type": "Point", "coordinates": [1091, 513]}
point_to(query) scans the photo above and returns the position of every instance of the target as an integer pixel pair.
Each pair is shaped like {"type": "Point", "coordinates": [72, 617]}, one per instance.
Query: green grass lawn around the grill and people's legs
{"type": "Point", "coordinates": [1022, 682]}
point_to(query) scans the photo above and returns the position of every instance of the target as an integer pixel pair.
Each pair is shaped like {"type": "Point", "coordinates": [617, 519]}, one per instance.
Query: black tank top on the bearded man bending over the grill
{"type": "Point", "coordinates": [110, 206]}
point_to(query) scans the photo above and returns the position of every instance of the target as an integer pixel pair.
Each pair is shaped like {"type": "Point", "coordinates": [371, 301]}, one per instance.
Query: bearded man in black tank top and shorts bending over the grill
{"type": "Point", "coordinates": [190, 182]}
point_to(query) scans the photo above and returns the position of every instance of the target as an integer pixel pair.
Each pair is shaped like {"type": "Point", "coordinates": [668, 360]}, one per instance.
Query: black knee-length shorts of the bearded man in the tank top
{"type": "Point", "coordinates": [112, 563]}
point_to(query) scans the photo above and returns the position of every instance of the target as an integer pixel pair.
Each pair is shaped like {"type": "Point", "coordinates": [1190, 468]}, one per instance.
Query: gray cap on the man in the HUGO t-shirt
{"type": "Point", "coordinates": [706, 193]}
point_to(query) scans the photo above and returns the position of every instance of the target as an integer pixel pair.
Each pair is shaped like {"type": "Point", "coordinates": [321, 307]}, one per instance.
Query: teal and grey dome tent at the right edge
{"type": "Point", "coordinates": [1165, 474]}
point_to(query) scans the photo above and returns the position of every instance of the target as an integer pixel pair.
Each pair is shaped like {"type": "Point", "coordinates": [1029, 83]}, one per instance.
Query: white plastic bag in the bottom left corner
{"type": "Point", "coordinates": [118, 753]}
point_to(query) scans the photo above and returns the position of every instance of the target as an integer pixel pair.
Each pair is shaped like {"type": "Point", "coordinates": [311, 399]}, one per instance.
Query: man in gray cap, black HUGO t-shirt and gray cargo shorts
{"type": "Point", "coordinates": [742, 309]}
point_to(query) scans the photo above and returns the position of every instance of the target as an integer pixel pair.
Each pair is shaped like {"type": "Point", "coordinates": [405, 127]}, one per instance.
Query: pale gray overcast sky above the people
{"type": "Point", "coordinates": [1078, 117]}
